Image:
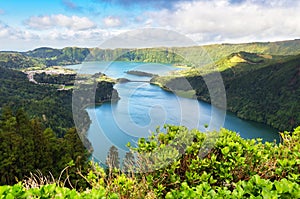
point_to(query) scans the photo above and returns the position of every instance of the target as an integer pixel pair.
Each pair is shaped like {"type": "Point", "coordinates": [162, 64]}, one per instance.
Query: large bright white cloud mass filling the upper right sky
{"type": "Point", "coordinates": [219, 20]}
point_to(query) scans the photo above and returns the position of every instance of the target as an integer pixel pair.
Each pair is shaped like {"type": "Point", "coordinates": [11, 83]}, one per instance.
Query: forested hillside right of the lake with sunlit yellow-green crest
{"type": "Point", "coordinates": [258, 87]}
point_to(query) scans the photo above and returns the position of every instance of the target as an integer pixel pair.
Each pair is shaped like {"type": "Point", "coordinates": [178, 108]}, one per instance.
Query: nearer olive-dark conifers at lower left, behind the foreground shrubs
{"type": "Point", "coordinates": [26, 146]}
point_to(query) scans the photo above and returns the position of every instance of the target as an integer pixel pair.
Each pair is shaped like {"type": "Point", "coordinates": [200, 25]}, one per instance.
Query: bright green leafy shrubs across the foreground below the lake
{"type": "Point", "coordinates": [232, 168]}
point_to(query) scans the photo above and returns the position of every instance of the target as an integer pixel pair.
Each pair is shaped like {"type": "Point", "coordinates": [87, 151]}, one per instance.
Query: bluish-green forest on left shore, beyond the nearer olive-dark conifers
{"type": "Point", "coordinates": [54, 106]}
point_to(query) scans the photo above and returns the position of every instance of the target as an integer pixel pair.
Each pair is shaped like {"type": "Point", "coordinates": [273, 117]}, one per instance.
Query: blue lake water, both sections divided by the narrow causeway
{"type": "Point", "coordinates": [142, 107]}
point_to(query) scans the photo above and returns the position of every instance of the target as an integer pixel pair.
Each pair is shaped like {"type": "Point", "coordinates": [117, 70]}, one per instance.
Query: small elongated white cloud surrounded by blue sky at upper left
{"type": "Point", "coordinates": [60, 21]}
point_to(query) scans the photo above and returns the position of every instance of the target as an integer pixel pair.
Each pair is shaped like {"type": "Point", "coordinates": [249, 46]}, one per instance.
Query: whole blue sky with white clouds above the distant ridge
{"type": "Point", "coordinates": [25, 25]}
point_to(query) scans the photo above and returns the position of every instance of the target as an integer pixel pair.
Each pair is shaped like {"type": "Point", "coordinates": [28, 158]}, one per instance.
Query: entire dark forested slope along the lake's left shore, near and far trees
{"type": "Point", "coordinates": [37, 130]}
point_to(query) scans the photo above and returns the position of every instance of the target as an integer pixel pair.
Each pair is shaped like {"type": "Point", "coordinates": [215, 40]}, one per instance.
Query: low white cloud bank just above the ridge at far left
{"type": "Point", "coordinates": [16, 38]}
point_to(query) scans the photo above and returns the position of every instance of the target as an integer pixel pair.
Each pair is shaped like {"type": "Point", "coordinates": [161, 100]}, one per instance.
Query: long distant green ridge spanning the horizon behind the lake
{"type": "Point", "coordinates": [191, 56]}
